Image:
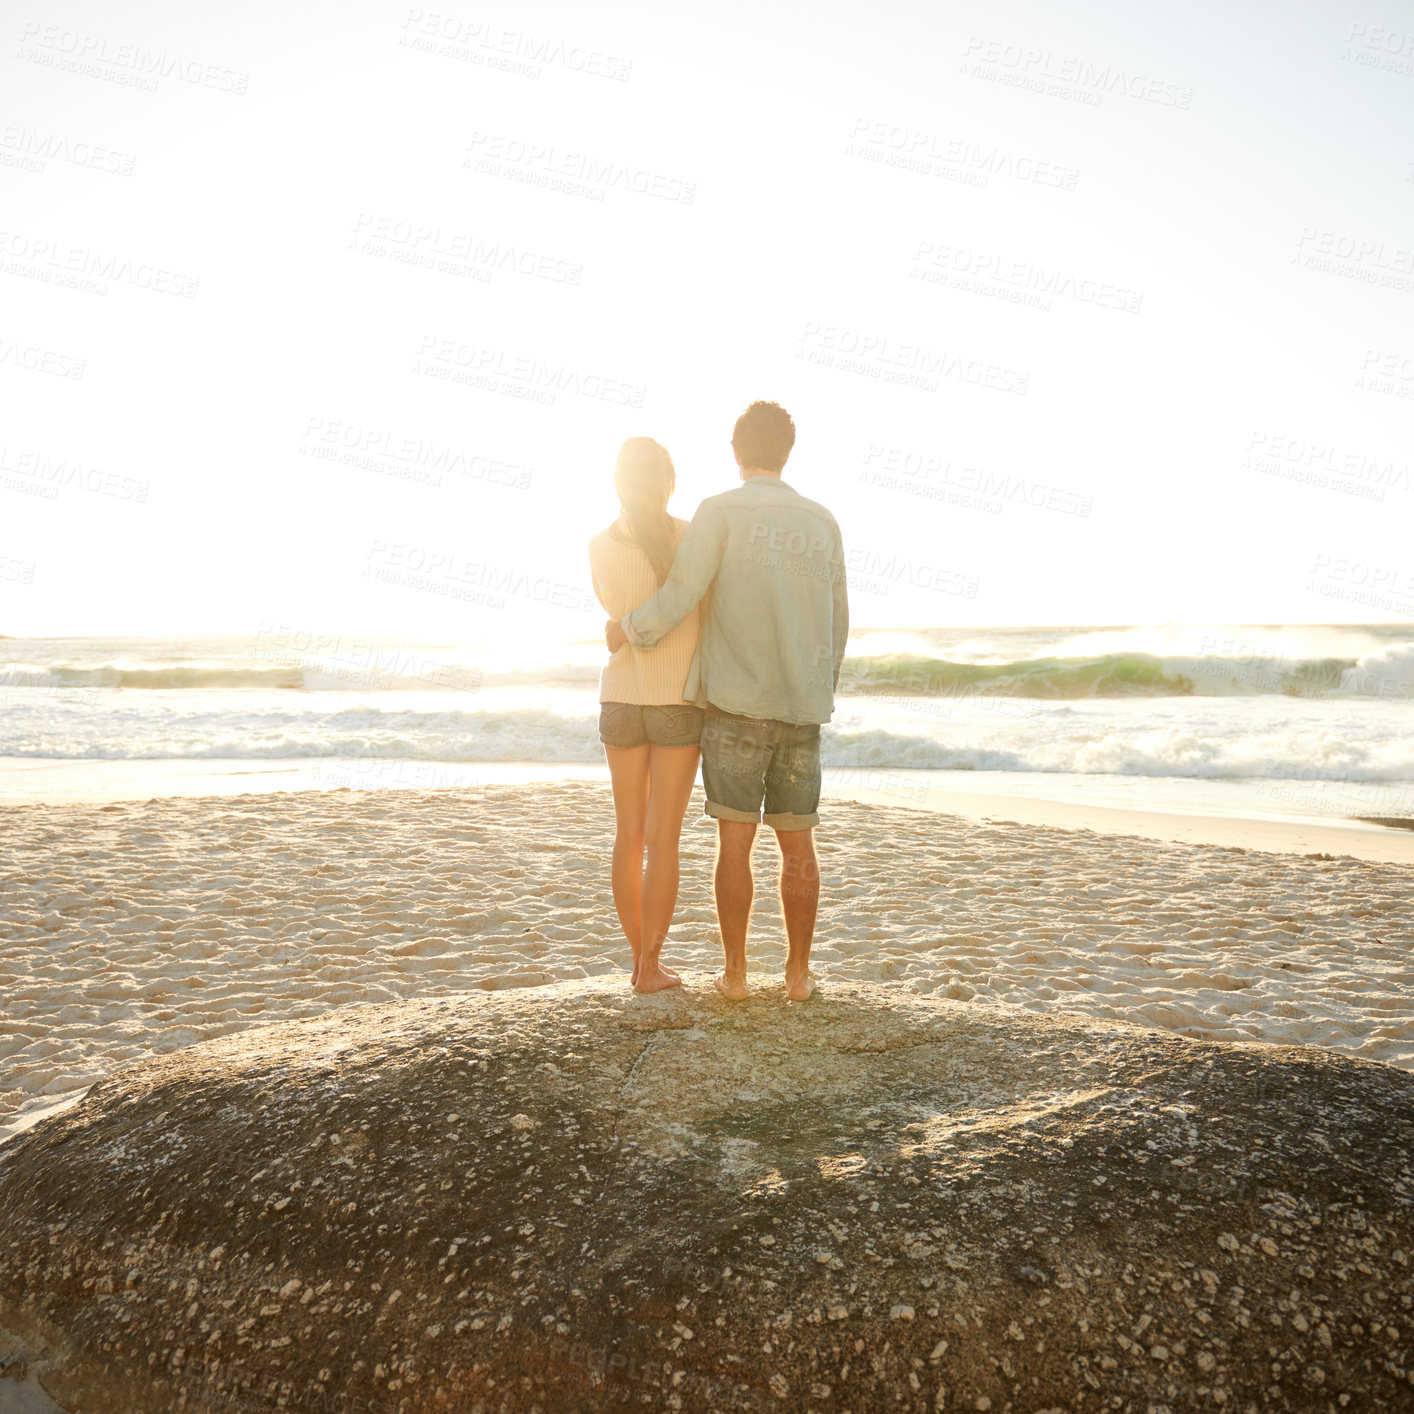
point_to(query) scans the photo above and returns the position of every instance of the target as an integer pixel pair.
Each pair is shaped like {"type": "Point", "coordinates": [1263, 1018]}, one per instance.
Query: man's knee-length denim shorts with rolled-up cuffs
{"type": "Point", "coordinates": [761, 770]}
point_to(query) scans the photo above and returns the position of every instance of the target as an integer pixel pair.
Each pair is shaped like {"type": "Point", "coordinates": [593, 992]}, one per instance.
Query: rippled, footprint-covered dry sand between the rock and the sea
{"type": "Point", "coordinates": [132, 930]}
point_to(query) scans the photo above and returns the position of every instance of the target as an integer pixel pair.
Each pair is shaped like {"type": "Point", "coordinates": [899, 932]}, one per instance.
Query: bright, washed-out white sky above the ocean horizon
{"type": "Point", "coordinates": [1087, 316]}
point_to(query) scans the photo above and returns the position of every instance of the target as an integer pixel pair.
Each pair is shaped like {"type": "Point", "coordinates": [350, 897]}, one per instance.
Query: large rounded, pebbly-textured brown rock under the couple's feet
{"type": "Point", "coordinates": [569, 1198]}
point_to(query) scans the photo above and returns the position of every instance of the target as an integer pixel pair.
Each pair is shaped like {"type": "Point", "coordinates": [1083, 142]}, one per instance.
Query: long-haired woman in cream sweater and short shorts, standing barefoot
{"type": "Point", "coordinates": [648, 730]}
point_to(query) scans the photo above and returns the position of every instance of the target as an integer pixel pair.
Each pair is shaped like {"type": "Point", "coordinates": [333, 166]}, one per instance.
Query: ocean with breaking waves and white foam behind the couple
{"type": "Point", "coordinates": [1310, 722]}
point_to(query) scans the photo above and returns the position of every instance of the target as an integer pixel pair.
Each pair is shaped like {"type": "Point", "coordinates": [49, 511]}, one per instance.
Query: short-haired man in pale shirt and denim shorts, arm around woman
{"type": "Point", "coordinates": [771, 566]}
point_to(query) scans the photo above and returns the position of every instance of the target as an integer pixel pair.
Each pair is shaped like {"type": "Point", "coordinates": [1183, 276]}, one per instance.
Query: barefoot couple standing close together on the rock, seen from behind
{"type": "Point", "coordinates": [728, 638]}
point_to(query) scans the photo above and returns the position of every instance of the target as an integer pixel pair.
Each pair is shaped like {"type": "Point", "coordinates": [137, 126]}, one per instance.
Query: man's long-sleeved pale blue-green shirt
{"type": "Point", "coordinates": [777, 614]}
